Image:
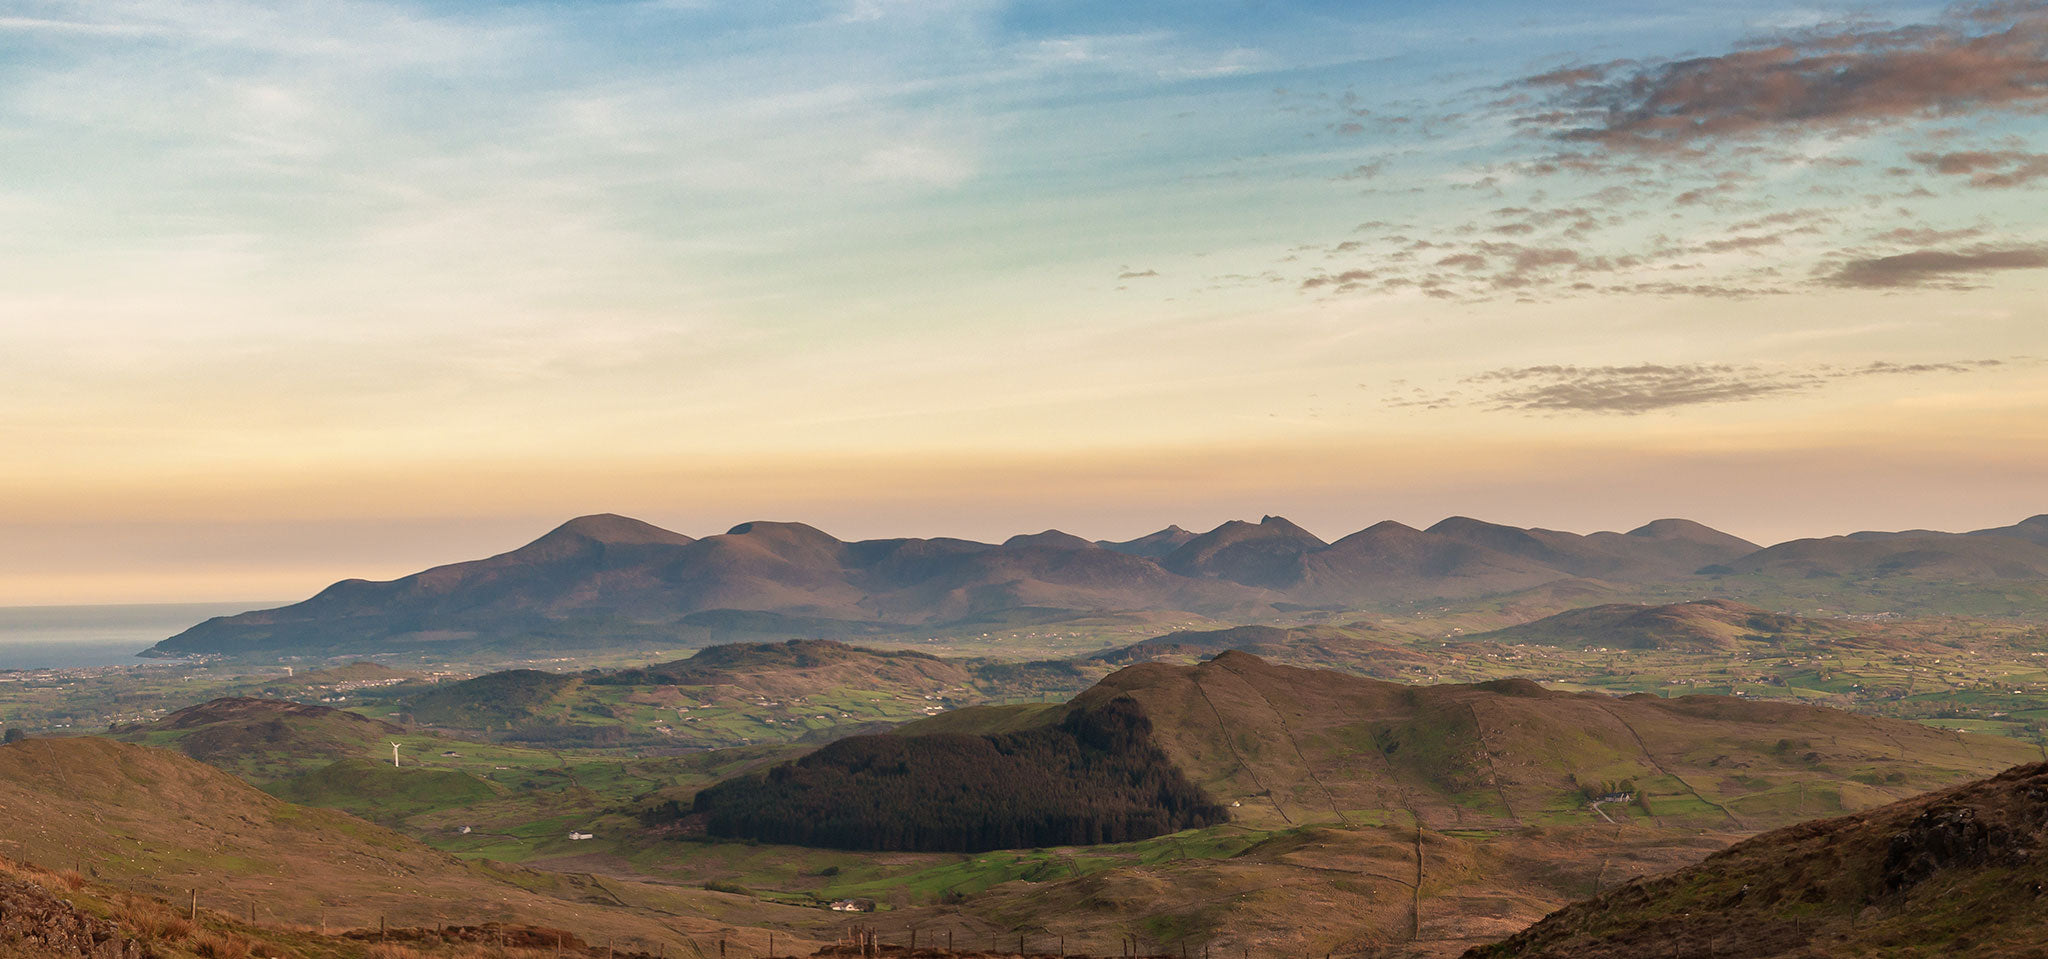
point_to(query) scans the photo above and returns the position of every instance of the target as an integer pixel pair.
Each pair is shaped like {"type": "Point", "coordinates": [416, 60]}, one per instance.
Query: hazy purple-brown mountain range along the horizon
{"type": "Point", "coordinates": [605, 581]}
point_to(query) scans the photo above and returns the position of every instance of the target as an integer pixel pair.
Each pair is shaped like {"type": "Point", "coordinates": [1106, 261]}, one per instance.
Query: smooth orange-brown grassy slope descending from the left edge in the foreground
{"type": "Point", "coordinates": [159, 823]}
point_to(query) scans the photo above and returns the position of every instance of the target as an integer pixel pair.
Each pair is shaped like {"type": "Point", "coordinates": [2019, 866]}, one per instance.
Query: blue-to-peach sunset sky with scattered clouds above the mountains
{"type": "Point", "coordinates": [302, 290]}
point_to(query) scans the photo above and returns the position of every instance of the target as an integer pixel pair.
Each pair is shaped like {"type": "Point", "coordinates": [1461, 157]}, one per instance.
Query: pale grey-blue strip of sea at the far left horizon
{"type": "Point", "coordinates": [60, 638]}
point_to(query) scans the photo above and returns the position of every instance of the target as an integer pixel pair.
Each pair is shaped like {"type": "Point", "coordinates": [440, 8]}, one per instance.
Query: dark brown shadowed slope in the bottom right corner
{"type": "Point", "coordinates": [1953, 874]}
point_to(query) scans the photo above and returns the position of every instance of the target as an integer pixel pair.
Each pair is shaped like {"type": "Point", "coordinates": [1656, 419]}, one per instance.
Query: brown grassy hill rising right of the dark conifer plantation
{"type": "Point", "coordinates": [1285, 747]}
